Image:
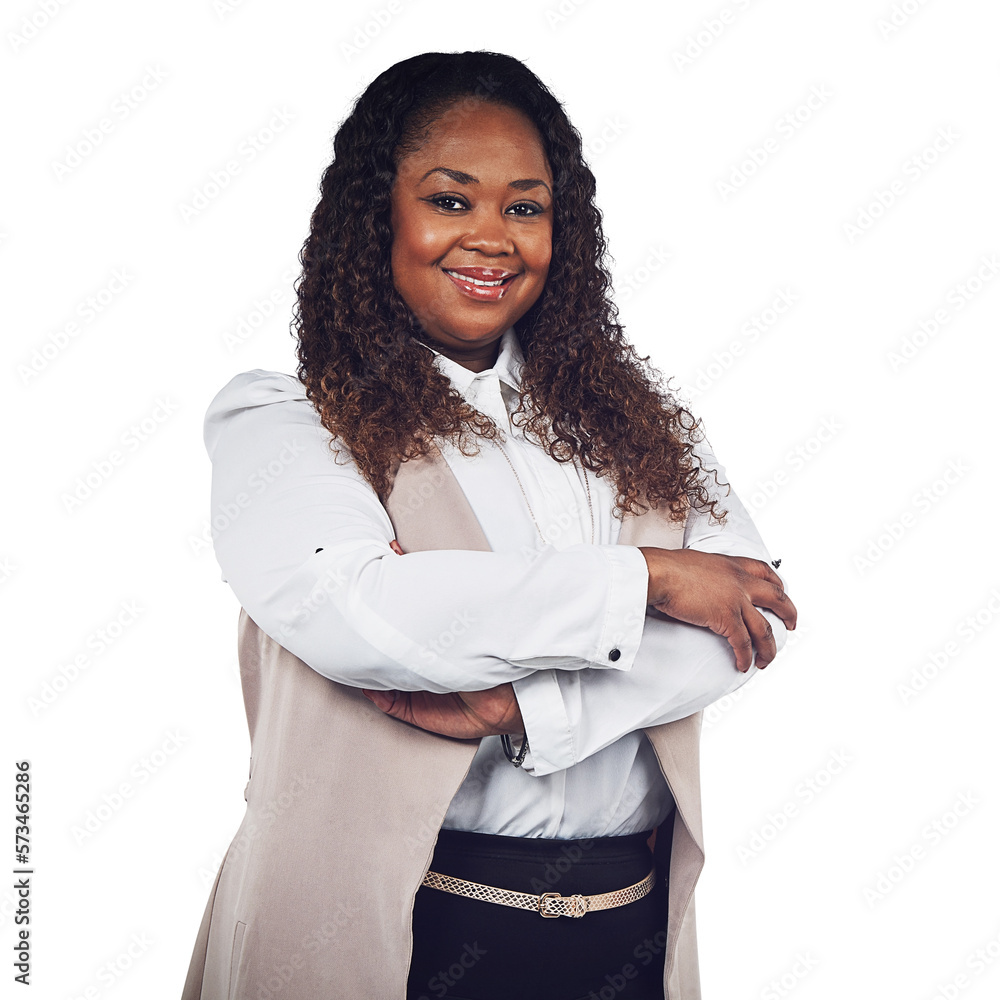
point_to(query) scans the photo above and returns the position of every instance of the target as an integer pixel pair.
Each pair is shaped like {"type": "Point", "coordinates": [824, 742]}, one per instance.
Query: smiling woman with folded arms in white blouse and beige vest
{"type": "Point", "coordinates": [487, 585]}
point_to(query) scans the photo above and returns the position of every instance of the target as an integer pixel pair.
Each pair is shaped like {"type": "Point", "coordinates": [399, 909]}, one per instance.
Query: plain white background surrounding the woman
{"type": "Point", "coordinates": [851, 819]}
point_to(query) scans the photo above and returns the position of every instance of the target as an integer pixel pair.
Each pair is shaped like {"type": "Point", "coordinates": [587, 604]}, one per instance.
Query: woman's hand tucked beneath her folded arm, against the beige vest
{"type": "Point", "coordinates": [462, 714]}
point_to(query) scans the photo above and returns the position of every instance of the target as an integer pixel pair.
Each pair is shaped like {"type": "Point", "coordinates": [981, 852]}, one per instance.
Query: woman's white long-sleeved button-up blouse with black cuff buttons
{"type": "Point", "coordinates": [304, 543]}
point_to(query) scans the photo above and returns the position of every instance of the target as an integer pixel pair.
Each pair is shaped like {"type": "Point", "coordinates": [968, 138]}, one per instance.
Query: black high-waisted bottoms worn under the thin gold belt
{"type": "Point", "coordinates": [467, 949]}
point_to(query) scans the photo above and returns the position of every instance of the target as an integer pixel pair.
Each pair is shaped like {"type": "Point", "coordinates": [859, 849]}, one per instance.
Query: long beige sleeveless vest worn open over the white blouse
{"type": "Point", "coordinates": [314, 896]}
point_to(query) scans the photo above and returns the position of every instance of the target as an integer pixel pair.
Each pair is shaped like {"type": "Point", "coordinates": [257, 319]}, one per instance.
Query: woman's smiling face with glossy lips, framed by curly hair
{"type": "Point", "coordinates": [474, 202]}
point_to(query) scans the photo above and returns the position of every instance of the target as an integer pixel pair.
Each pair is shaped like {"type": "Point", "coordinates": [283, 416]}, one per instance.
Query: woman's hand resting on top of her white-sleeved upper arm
{"type": "Point", "coordinates": [719, 592]}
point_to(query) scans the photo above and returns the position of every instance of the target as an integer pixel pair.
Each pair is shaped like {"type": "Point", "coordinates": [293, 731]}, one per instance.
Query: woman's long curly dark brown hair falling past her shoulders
{"type": "Point", "coordinates": [585, 392]}
